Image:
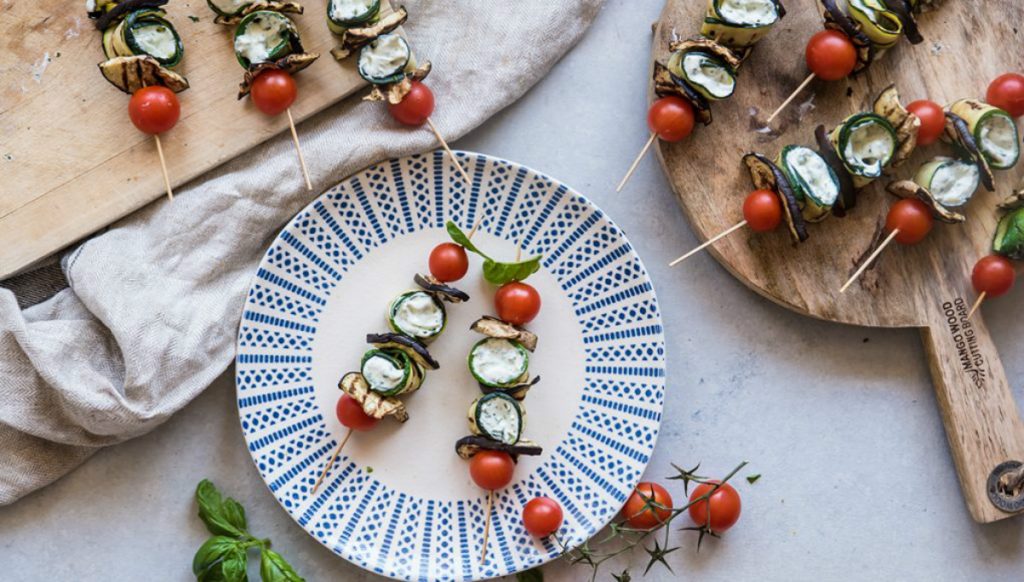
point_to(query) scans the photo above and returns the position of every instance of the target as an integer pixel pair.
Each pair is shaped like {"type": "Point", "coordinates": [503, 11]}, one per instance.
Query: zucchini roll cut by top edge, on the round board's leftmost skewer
{"type": "Point", "coordinates": [741, 24]}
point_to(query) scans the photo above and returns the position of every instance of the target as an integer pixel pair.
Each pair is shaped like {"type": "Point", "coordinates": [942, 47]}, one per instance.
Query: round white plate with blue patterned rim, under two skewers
{"type": "Point", "coordinates": [399, 502]}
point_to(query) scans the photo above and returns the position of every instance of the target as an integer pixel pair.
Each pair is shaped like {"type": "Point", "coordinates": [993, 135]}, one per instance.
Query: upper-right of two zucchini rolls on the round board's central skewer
{"type": "Point", "coordinates": [867, 144]}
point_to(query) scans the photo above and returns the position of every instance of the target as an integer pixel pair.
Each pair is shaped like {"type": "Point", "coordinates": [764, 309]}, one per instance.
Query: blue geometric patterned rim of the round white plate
{"type": "Point", "coordinates": [404, 536]}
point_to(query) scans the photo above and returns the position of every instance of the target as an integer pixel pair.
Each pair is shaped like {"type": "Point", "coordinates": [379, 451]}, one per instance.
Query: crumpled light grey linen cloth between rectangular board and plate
{"type": "Point", "coordinates": [153, 307]}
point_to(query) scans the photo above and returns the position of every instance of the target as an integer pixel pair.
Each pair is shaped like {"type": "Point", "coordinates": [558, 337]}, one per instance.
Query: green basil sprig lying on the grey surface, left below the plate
{"type": "Point", "coordinates": [225, 558]}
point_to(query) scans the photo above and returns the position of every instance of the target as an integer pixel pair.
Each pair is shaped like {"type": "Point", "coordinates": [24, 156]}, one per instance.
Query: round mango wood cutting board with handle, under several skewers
{"type": "Point", "coordinates": [926, 286]}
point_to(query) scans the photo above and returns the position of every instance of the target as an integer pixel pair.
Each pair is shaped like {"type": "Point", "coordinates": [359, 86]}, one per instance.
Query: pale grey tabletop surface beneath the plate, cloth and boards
{"type": "Point", "coordinates": [841, 422]}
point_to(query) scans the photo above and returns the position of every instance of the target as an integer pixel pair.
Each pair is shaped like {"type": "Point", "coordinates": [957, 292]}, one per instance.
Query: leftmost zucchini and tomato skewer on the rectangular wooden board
{"type": "Point", "coordinates": [143, 48]}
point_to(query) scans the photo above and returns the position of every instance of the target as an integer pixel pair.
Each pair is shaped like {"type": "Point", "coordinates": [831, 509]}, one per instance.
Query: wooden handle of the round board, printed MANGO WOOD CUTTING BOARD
{"type": "Point", "coordinates": [978, 409]}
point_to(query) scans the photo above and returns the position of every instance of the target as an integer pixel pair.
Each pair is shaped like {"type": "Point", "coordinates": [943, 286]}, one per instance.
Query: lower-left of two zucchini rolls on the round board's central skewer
{"type": "Point", "coordinates": [815, 184]}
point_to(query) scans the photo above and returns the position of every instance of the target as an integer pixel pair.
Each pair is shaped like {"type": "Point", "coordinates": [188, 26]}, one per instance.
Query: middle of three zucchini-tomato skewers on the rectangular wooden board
{"type": "Point", "coordinates": [268, 46]}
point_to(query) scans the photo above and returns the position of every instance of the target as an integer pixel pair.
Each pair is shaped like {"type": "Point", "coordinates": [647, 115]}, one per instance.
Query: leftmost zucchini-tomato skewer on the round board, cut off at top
{"type": "Point", "coordinates": [704, 69]}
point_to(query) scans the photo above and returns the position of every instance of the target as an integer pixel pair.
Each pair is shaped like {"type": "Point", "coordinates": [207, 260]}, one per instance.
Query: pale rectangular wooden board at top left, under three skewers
{"type": "Point", "coordinates": [71, 161]}
